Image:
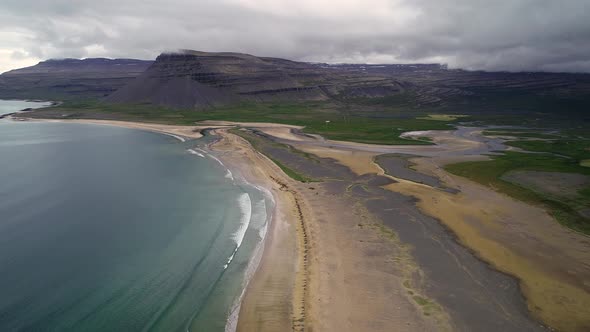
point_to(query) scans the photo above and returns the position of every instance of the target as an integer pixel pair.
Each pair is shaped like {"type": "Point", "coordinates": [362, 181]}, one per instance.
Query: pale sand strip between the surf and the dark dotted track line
{"type": "Point", "coordinates": [264, 177]}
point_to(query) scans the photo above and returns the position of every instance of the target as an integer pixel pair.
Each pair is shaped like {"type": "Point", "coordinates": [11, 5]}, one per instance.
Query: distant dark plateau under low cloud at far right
{"type": "Point", "coordinates": [437, 84]}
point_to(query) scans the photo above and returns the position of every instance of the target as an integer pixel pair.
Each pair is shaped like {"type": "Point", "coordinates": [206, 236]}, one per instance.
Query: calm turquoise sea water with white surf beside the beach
{"type": "Point", "coordinates": [112, 229]}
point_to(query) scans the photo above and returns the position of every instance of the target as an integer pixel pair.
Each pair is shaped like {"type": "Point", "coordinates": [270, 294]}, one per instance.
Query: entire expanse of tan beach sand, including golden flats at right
{"type": "Point", "coordinates": [330, 265]}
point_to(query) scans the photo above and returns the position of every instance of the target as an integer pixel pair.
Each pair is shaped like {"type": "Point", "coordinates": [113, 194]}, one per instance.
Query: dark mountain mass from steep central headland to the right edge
{"type": "Point", "coordinates": [192, 79]}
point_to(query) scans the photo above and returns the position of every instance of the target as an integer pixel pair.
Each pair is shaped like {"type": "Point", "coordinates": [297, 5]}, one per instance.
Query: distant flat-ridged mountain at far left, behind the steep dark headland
{"type": "Point", "coordinates": [70, 78]}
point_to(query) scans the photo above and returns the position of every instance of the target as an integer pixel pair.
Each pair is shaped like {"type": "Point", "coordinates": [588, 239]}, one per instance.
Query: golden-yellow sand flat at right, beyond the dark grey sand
{"type": "Point", "coordinates": [551, 262]}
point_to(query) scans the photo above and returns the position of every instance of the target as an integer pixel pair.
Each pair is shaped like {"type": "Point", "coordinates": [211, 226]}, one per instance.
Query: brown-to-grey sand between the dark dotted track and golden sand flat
{"type": "Point", "coordinates": [425, 267]}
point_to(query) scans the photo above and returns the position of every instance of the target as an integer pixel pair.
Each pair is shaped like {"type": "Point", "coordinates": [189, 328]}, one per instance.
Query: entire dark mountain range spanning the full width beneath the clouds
{"type": "Point", "coordinates": [192, 80]}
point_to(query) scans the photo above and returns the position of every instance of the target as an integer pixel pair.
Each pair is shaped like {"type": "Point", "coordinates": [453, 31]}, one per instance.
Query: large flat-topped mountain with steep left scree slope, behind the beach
{"type": "Point", "coordinates": [192, 79]}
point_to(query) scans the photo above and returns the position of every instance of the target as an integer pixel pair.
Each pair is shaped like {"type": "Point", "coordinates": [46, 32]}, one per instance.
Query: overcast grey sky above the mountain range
{"type": "Point", "coordinates": [550, 35]}
